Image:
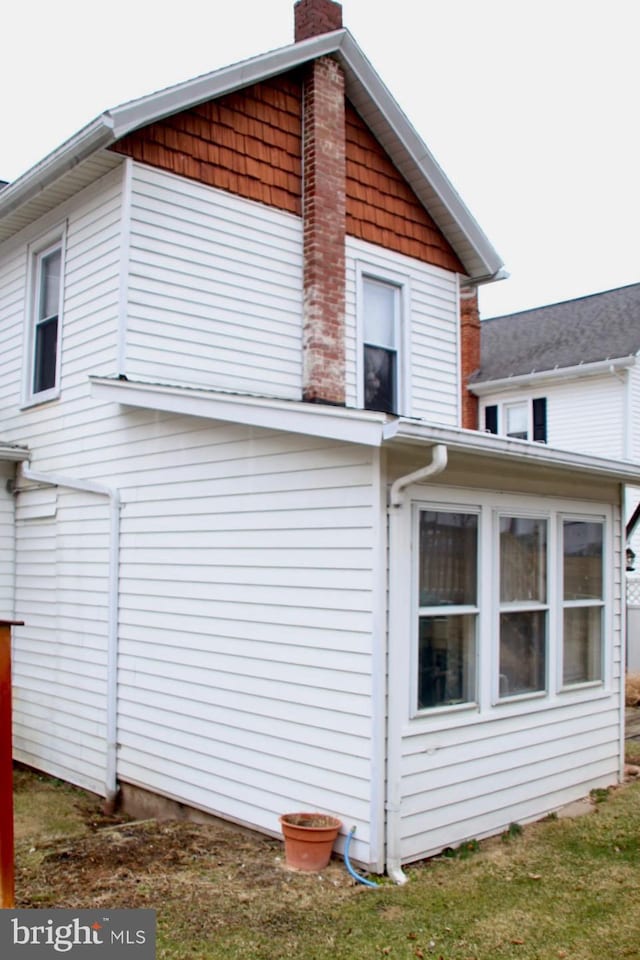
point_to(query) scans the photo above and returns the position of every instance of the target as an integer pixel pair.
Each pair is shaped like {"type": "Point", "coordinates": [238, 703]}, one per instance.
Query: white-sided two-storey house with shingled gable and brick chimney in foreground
{"type": "Point", "coordinates": [263, 560]}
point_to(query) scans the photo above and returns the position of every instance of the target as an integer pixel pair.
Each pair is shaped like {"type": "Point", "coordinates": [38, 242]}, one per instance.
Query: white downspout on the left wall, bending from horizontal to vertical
{"type": "Point", "coordinates": [87, 486]}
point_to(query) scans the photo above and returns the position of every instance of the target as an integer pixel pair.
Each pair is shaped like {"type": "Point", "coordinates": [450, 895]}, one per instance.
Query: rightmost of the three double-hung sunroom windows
{"type": "Point", "coordinates": [583, 601]}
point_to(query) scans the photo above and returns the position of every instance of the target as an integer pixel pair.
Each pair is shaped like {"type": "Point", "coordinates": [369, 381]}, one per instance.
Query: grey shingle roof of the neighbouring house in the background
{"type": "Point", "coordinates": [600, 327]}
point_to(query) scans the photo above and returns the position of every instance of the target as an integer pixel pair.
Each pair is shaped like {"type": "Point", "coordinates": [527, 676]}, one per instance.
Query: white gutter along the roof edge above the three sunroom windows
{"type": "Point", "coordinates": [537, 455]}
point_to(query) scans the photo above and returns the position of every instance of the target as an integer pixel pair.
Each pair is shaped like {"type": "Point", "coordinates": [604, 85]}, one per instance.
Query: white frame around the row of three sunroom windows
{"type": "Point", "coordinates": [489, 508]}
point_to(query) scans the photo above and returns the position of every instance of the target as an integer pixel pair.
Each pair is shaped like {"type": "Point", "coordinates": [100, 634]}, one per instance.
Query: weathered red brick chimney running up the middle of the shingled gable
{"type": "Point", "coordinates": [323, 211]}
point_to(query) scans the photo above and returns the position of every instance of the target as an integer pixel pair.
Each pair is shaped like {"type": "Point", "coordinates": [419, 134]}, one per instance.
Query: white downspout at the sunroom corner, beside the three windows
{"type": "Point", "coordinates": [397, 697]}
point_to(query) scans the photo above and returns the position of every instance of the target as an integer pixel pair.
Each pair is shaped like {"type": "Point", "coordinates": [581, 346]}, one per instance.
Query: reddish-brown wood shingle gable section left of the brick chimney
{"type": "Point", "coordinates": [247, 143]}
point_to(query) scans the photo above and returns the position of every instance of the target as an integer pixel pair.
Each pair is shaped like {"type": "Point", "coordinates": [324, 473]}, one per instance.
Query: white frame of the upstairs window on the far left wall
{"type": "Point", "coordinates": [36, 252]}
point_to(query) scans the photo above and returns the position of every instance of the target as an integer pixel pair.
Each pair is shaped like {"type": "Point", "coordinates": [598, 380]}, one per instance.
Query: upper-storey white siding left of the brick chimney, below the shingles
{"type": "Point", "coordinates": [215, 289]}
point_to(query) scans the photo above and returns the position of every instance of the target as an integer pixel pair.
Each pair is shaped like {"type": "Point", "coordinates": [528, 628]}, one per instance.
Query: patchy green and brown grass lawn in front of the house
{"type": "Point", "coordinates": [552, 890]}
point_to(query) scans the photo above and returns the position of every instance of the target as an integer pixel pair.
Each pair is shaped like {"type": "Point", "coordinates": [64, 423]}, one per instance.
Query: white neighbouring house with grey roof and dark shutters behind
{"type": "Point", "coordinates": [568, 375]}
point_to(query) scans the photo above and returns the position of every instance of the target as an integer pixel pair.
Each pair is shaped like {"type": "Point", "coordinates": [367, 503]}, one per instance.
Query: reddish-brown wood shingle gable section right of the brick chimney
{"type": "Point", "coordinates": [382, 208]}
